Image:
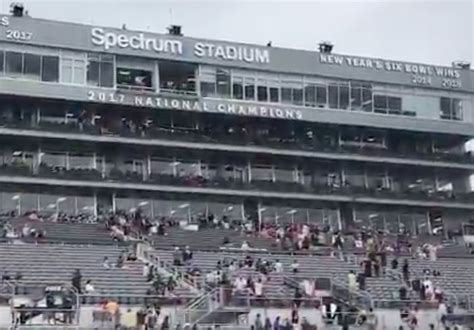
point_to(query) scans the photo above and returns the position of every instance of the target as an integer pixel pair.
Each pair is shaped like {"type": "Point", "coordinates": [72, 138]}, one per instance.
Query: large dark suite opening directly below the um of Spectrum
{"type": "Point", "coordinates": [177, 77]}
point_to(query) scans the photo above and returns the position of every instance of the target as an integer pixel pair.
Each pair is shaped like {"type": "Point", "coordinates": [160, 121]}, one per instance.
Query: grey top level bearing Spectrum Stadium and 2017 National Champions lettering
{"type": "Point", "coordinates": [233, 78]}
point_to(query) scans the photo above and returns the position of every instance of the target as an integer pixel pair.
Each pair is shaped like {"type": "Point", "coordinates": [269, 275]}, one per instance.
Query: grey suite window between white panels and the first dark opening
{"type": "Point", "coordinates": [100, 70]}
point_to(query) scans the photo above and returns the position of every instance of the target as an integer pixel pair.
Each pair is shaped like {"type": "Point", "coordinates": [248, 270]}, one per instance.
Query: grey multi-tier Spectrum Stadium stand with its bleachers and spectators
{"type": "Point", "coordinates": [160, 181]}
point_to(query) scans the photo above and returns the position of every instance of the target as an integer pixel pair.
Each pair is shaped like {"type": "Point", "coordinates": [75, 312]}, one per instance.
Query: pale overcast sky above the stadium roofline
{"type": "Point", "coordinates": [436, 32]}
